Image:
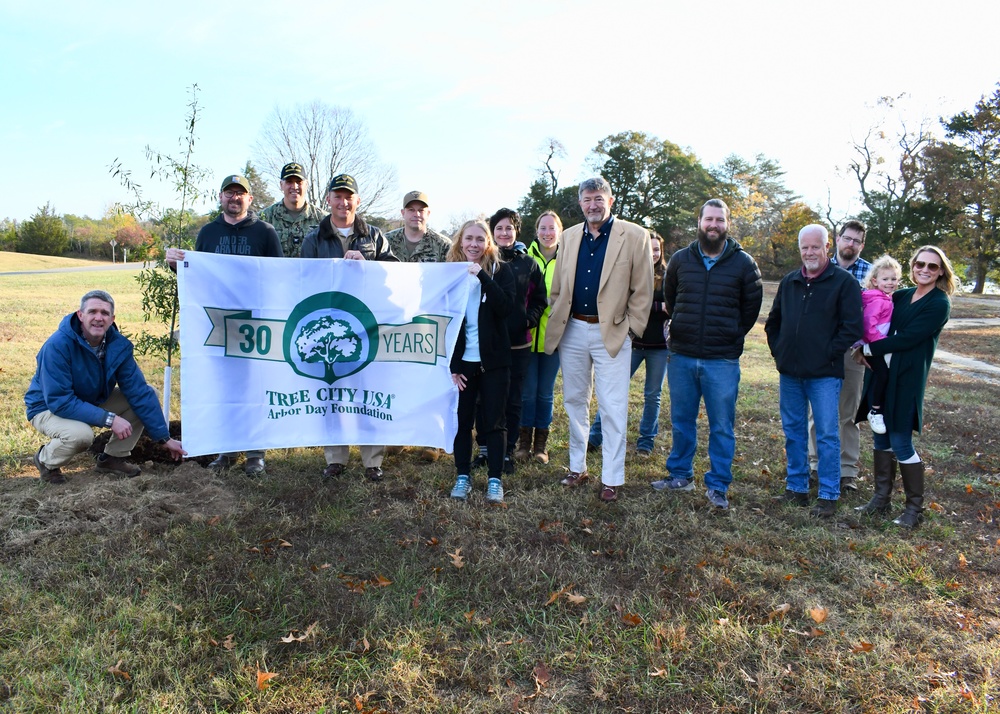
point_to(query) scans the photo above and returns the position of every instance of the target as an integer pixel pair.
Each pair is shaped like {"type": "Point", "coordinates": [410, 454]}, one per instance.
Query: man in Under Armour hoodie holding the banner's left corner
{"type": "Point", "coordinates": [237, 231]}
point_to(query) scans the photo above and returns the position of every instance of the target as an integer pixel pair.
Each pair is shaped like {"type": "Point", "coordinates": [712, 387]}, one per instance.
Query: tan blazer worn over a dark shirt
{"type": "Point", "coordinates": [625, 294]}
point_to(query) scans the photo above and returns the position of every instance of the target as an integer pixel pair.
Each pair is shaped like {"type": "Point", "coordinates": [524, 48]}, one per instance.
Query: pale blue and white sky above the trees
{"type": "Point", "coordinates": [460, 97]}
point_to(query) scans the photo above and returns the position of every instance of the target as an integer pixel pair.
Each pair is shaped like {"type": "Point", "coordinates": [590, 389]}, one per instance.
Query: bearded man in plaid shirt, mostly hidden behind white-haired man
{"type": "Point", "coordinates": [847, 255]}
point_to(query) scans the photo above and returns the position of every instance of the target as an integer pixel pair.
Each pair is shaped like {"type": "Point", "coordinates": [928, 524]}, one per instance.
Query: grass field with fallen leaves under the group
{"type": "Point", "coordinates": [183, 591]}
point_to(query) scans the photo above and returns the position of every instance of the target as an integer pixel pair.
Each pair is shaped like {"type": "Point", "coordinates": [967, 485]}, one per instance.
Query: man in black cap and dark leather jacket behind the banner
{"type": "Point", "coordinates": [345, 234]}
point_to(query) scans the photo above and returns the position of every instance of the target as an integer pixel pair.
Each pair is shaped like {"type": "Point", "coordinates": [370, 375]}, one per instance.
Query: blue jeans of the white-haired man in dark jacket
{"type": "Point", "coordinates": [796, 395]}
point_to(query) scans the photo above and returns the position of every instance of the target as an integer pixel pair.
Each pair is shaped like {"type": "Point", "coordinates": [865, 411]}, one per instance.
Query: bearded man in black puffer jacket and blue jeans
{"type": "Point", "coordinates": [713, 294]}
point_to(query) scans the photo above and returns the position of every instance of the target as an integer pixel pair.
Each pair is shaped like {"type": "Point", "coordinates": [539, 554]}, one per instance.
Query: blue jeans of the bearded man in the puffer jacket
{"type": "Point", "coordinates": [717, 381]}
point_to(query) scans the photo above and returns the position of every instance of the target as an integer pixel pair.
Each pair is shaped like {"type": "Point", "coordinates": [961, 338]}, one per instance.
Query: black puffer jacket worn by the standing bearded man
{"type": "Point", "coordinates": [711, 311]}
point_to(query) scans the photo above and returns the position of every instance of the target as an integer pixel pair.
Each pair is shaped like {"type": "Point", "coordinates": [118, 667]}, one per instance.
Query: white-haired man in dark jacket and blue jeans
{"type": "Point", "coordinates": [816, 316]}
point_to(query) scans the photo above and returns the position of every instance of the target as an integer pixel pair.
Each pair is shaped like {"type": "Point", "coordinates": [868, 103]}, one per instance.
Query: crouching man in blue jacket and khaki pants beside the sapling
{"type": "Point", "coordinates": [87, 376]}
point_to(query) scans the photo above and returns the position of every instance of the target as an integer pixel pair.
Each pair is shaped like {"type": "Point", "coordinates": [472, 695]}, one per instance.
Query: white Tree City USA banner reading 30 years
{"type": "Point", "coordinates": [286, 352]}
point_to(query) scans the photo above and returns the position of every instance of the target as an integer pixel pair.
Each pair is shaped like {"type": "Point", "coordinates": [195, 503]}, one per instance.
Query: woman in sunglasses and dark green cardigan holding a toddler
{"type": "Point", "coordinates": [919, 314]}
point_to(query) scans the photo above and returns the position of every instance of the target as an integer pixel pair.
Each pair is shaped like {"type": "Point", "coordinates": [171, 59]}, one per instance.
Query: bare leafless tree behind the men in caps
{"type": "Point", "coordinates": [327, 140]}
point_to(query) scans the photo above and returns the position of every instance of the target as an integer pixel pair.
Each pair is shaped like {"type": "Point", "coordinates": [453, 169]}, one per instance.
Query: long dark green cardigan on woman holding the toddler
{"type": "Point", "coordinates": [913, 335]}
